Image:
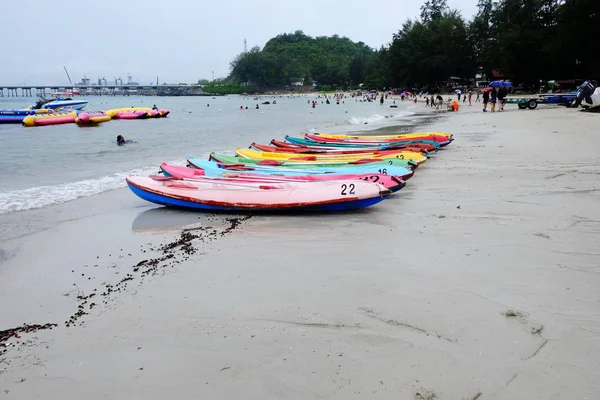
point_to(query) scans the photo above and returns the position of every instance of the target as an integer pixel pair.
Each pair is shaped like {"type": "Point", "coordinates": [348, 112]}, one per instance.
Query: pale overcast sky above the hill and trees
{"type": "Point", "coordinates": [178, 40]}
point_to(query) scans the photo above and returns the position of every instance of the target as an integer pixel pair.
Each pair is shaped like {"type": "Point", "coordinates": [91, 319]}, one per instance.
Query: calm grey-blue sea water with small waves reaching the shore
{"type": "Point", "coordinates": [42, 166]}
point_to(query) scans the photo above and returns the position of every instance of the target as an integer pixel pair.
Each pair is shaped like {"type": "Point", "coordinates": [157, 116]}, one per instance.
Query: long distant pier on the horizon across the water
{"type": "Point", "coordinates": [100, 90]}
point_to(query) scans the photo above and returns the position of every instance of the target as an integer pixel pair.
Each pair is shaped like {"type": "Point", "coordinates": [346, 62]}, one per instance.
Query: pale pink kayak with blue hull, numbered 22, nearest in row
{"type": "Point", "coordinates": [288, 196]}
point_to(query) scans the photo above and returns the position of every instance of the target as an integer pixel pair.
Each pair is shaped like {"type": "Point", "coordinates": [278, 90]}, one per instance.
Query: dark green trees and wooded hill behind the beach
{"type": "Point", "coordinates": [522, 40]}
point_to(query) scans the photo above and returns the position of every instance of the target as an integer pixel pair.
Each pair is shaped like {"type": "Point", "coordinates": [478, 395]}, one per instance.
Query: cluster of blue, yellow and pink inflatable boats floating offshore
{"type": "Point", "coordinates": [48, 117]}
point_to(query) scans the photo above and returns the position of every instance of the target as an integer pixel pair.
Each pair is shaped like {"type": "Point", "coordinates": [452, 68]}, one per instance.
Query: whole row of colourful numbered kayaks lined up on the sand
{"type": "Point", "coordinates": [289, 176]}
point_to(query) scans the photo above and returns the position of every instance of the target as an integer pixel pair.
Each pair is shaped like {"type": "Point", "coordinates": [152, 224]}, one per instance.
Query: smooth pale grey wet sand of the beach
{"type": "Point", "coordinates": [478, 280]}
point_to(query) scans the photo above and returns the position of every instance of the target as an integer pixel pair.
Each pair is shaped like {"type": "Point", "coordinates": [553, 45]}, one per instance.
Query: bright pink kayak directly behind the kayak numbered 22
{"type": "Point", "coordinates": [393, 183]}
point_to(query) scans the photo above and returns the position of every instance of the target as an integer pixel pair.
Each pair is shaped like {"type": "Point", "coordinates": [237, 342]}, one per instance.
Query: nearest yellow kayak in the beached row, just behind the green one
{"type": "Point", "coordinates": [259, 155]}
